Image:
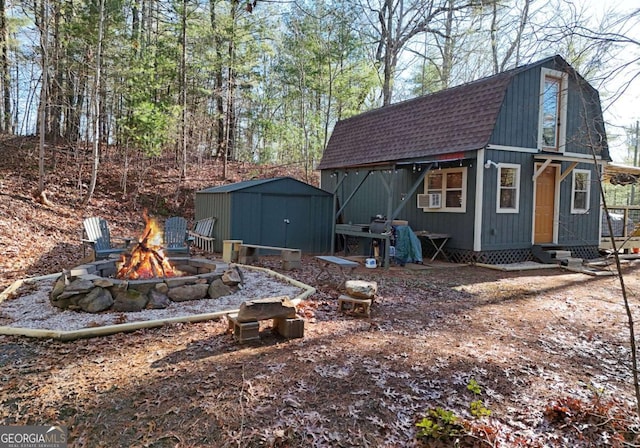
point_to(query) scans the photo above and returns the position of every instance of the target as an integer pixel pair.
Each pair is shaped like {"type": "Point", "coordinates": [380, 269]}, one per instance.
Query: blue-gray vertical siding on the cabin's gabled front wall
{"type": "Point", "coordinates": [517, 127]}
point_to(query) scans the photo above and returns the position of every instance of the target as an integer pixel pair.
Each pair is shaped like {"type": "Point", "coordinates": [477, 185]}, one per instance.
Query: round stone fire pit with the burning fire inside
{"type": "Point", "coordinates": [142, 278]}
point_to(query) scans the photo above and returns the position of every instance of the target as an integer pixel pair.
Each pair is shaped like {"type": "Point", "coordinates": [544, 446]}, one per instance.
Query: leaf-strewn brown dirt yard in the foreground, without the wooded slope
{"type": "Point", "coordinates": [529, 339]}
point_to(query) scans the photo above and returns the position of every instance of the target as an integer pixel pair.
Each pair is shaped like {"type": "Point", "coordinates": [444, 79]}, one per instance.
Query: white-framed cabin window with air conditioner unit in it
{"type": "Point", "coordinates": [451, 185]}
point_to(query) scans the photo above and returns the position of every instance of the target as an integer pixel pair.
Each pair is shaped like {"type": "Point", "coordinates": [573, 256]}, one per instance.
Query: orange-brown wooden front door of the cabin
{"type": "Point", "coordinates": [545, 206]}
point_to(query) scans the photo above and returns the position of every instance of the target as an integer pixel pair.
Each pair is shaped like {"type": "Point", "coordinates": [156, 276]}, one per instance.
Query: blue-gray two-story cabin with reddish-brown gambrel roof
{"type": "Point", "coordinates": [504, 165]}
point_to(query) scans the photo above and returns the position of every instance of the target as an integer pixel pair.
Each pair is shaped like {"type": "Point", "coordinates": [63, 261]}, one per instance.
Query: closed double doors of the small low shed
{"type": "Point", "coordinates": [285, 220]}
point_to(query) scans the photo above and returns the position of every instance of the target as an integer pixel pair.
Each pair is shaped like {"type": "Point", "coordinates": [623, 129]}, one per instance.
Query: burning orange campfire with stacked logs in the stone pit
{"type": "Point", "coordinates": [146, 259]}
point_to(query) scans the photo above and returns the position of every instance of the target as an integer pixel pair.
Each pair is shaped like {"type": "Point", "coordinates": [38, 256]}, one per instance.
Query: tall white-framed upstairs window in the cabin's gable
{"type": "Point", "coordinates": [553, 110]}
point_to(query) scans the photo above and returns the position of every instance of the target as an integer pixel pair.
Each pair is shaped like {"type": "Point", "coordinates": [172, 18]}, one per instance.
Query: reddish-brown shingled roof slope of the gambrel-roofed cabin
{"type": "Point", "coordinates": [457, 119]}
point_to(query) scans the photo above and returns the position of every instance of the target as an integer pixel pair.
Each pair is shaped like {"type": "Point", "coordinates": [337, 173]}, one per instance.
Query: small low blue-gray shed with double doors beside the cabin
{"type": "Point", "coordinates": [281, 212]}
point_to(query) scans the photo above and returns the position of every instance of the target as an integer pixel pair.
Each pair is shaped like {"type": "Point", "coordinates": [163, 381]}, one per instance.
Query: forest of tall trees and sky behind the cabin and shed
{"type": "Point", "coordinates": [265, 81]}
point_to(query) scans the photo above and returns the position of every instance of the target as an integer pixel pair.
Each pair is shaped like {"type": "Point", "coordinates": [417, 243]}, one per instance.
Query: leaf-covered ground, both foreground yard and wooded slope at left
{"type": "Point", "coordinates": [464, 354]}
